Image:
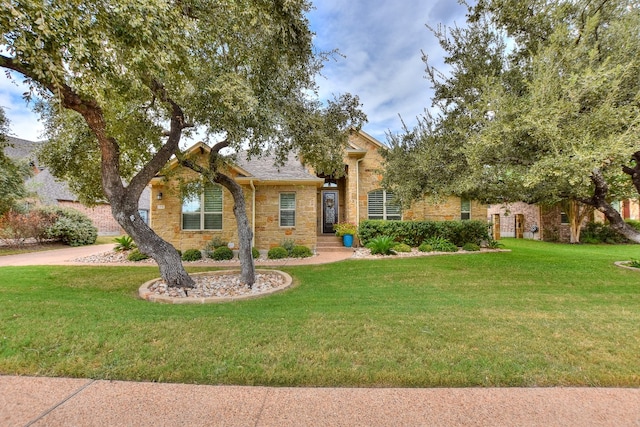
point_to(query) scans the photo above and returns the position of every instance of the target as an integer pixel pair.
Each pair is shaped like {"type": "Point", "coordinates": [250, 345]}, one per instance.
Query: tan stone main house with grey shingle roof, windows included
{"type": "Point", "coordinates": [289, 203]}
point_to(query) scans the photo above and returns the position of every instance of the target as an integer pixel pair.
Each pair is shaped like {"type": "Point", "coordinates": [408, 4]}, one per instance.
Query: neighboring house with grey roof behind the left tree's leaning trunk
{"type": "Point", "coordinates": [51, 191]}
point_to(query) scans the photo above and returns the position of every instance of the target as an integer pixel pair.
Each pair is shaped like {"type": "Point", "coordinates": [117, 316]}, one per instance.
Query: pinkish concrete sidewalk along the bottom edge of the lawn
{"type": "Point", "coordinates": [27, 401]}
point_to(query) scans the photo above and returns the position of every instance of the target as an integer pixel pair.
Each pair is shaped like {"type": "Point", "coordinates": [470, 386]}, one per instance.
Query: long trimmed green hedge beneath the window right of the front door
{"type": "Point", "coordinates": [413, 233]}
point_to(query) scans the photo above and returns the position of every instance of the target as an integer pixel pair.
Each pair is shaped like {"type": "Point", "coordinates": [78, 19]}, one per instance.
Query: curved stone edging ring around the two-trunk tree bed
{"type": "Point", "coordinates": [150, 296]}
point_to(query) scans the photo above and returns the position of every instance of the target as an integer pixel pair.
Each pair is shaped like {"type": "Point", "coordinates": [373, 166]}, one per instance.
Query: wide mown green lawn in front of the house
{"type": "Point", "coordinates": [541, 315]}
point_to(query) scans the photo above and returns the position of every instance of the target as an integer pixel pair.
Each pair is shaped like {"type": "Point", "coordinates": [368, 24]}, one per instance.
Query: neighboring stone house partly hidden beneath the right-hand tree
{"type": "Point", "coordinates": [549, 223]}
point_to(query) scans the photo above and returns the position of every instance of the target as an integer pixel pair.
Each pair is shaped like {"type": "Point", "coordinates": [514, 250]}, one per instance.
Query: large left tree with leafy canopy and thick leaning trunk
{"type": "Point", "coordinates": [123, 81]}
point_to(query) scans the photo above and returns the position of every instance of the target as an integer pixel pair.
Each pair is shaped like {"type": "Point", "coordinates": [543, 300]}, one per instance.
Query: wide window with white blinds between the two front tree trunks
{"type": "Point", "coordinates": [204, 211]}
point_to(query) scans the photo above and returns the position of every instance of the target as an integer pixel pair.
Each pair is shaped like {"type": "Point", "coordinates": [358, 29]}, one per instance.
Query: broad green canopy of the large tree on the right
{"type": "Point", "coordinates": [541, 106]}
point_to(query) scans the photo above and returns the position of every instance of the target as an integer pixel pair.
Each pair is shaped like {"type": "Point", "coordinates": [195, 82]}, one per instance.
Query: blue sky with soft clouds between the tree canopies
{"type": "Point", "coordinates": [380, 44]}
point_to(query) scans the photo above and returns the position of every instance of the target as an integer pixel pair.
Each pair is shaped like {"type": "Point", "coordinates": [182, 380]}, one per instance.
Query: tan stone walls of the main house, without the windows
{"type": "Point", "coordinates": [363, 174]}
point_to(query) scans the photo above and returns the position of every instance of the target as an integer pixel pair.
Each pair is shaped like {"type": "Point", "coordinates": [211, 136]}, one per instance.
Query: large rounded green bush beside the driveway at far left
{"type": "Point", "coordinates": [70, 226]}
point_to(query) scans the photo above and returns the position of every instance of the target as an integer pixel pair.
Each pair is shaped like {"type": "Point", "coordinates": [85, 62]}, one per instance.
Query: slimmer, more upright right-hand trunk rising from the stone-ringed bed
{"type": "Point", "coordinates": [245, 235]}
